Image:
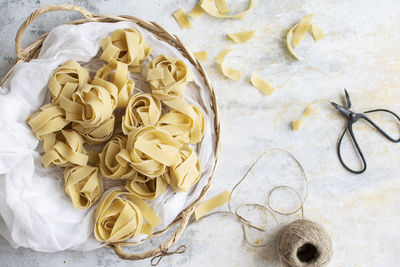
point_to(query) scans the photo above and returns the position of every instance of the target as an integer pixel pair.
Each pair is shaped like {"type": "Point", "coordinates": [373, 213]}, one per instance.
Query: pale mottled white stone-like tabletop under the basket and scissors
{"type": "Point", "coordinates": [361, 52]}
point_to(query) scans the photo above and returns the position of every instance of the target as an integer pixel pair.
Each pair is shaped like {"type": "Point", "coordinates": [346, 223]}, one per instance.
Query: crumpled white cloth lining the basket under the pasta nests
{"type": "Point", "coordinates": [35, 212]}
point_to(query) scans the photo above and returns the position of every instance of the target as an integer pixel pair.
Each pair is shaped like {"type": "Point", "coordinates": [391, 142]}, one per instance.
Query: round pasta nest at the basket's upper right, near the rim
{"type": "Point", "coordinates": [168, 77]}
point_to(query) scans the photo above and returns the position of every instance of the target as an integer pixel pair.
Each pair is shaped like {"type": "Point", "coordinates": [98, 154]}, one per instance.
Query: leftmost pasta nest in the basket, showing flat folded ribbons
{"type": "Point", "coordinates": [49, 119]}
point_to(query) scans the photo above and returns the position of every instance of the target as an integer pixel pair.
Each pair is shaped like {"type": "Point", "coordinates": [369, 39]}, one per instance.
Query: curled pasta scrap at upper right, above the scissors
{"type": "Point", "coordinates": [297, 33]}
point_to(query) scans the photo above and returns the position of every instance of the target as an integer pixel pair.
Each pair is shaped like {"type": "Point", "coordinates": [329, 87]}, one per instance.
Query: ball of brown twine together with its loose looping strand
{"type": "Point", "coordinates": [302, 243]}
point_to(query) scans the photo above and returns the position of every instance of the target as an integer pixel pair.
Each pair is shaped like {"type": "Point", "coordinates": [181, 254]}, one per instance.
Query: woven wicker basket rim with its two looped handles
{"type": "Point", "coordinates": [32, 52]}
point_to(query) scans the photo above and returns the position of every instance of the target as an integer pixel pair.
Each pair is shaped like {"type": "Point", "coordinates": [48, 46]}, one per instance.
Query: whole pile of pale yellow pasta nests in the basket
{"type": "Point", "coordinates": [151, 153]}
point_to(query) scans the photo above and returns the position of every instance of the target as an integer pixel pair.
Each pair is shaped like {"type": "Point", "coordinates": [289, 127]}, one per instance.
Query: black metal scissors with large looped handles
{"type": "Point", "coordinates": [353, 117]}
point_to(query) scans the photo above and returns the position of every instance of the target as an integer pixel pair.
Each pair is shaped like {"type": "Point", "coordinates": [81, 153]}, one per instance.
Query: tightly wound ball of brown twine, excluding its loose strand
{"type": "Point", "coordinates": [304, 243]}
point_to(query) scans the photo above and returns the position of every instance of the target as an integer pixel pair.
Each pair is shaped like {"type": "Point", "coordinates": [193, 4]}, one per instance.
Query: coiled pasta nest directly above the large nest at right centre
{"type": "Point", "coordinates": [142, 109]}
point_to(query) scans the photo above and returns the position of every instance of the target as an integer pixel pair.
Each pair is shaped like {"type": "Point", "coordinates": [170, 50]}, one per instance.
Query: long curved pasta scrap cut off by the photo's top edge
{"type": "Point", "coordinates": [218, 9]}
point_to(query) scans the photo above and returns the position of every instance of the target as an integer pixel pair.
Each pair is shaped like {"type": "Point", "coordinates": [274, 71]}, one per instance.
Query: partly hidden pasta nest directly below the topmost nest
{"type": "Point", "coordinates": [116, 73]}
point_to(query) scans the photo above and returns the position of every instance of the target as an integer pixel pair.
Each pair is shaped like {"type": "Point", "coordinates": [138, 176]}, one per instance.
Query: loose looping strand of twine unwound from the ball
{"type": "Point", "coordinates": [269, 208]}
